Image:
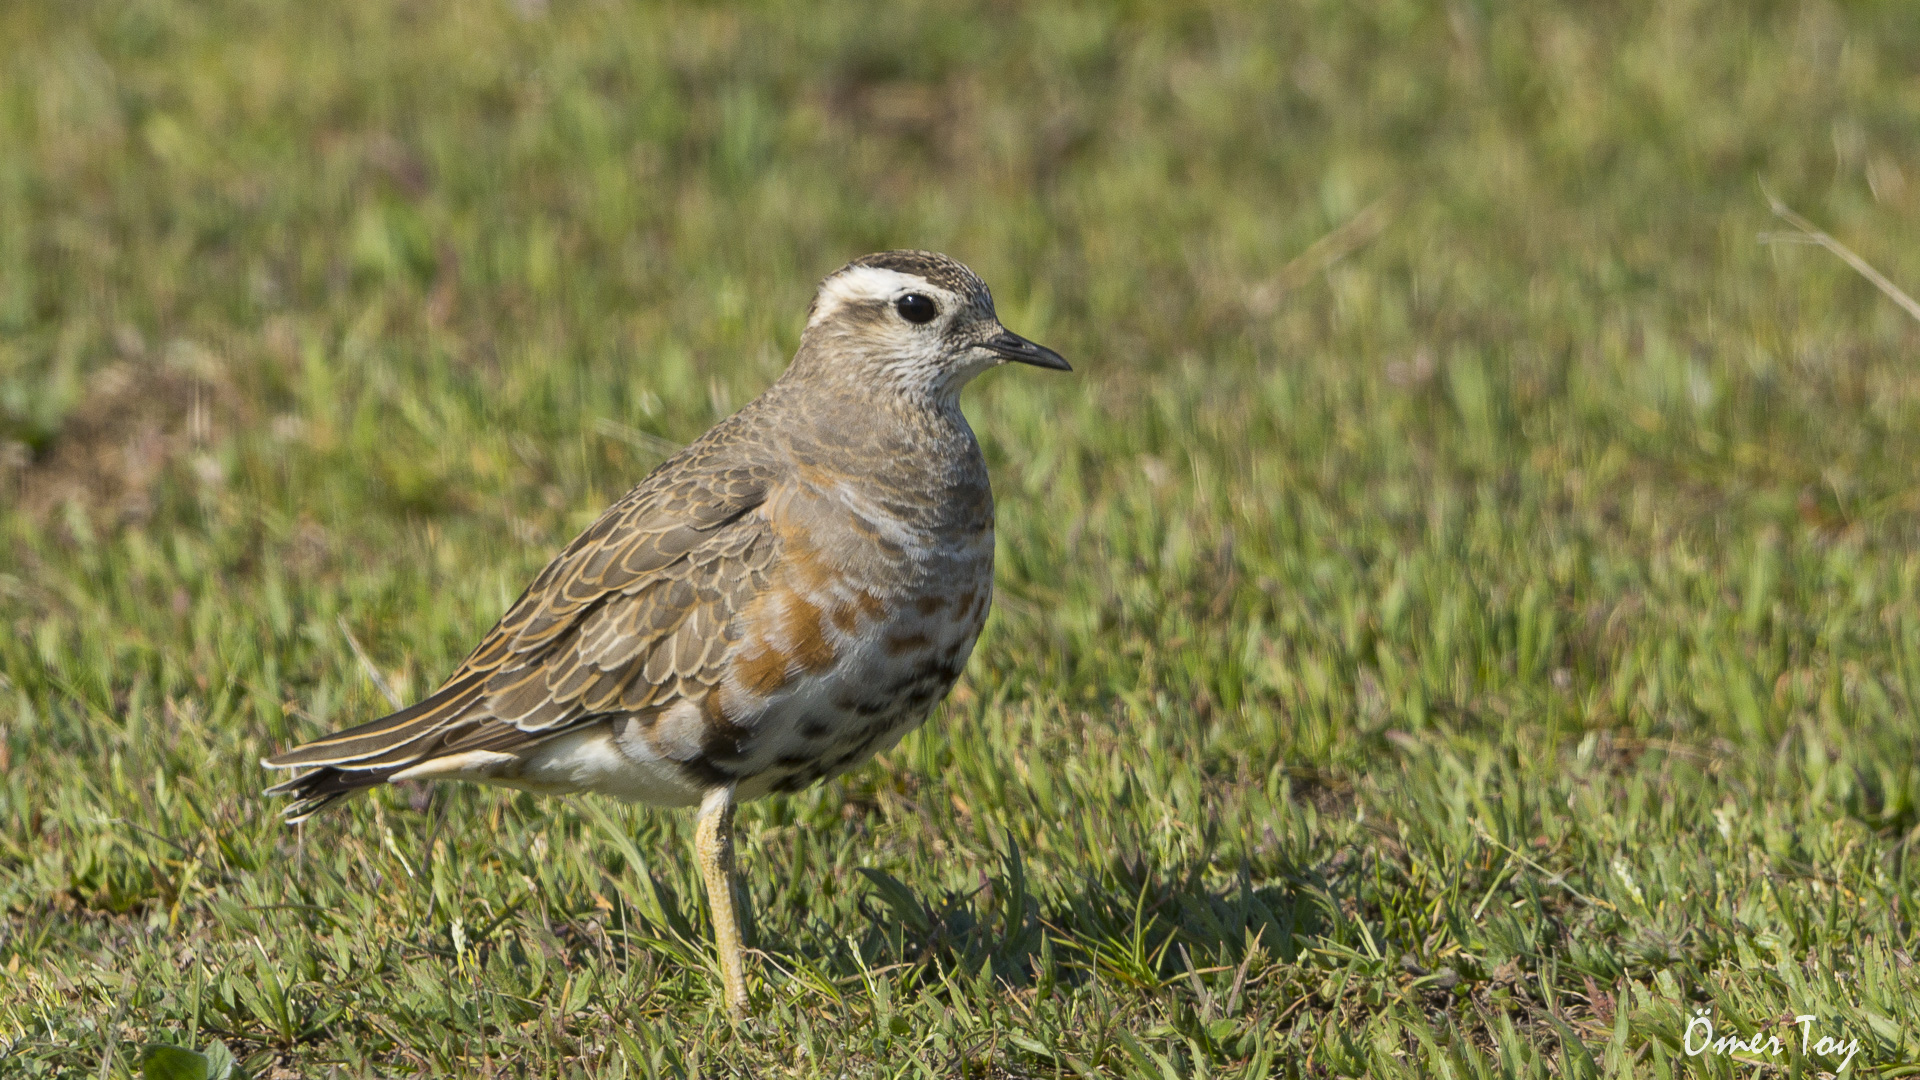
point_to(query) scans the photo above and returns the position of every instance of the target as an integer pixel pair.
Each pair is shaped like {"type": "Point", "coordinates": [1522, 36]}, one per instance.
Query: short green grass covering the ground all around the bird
{"type": "Point", "coordinates": [1460, 618]}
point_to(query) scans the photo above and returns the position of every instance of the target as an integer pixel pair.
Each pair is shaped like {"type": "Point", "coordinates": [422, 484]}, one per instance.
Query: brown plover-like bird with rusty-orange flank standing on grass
{"type": "Point", "coordinates": [773, 606]}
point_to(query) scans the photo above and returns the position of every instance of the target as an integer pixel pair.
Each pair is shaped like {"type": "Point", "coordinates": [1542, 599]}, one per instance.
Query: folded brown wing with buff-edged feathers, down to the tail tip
{"type": "Point", "coordinates": [629, 618]}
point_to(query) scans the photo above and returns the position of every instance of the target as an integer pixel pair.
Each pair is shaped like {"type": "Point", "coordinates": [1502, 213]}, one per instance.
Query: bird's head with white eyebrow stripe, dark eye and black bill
{"type": "Point", "coordinates": [917, 322]}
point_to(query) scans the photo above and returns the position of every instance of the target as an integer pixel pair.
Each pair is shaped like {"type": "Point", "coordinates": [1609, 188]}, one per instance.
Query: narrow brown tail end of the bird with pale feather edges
{"type": "Point", "coordinates": [372, 754]}
